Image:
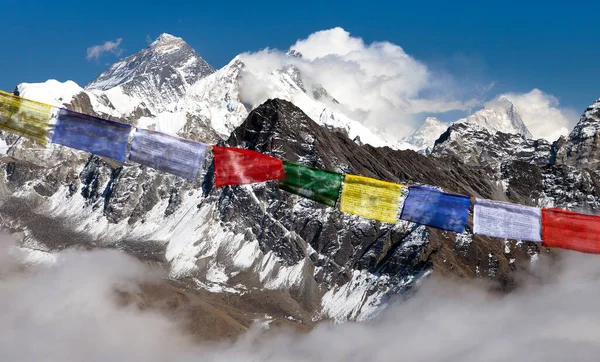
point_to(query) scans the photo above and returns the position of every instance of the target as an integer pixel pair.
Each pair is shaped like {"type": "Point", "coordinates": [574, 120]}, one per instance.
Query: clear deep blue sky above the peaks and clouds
{"type": "Point", "coordinates": [514, 44]}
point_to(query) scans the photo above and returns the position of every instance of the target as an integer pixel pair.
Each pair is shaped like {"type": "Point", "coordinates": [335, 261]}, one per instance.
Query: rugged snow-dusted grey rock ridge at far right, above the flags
{"type": "Point", "coordinates": [534, 172]}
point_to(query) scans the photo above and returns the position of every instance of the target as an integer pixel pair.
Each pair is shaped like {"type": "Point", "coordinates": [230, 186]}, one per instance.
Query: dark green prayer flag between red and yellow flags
{"type": "Point", "coordinates": [315, 184]}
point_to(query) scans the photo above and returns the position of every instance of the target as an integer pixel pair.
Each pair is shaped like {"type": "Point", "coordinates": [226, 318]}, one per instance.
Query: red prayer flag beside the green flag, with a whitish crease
{"type": "Point", "coordinates": [236, 166]}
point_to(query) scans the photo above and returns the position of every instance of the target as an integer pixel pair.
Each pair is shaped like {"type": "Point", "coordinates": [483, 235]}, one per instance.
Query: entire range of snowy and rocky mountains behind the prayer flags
{"type": "Point", "coordinates": [263, 247]}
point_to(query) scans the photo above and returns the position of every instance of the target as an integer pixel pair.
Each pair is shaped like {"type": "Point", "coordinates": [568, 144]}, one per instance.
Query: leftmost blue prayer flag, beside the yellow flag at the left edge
{"type": "Point", "coordinates": [91, 134]}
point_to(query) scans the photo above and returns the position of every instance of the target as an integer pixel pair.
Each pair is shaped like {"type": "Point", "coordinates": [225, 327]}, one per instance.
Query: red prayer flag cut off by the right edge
{"type": "Point", "coordinates": [571, 230]}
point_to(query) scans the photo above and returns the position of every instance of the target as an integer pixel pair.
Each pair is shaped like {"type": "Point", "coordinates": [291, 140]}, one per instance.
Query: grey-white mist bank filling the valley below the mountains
{"type": "Point", "coordinates": [65, 311]}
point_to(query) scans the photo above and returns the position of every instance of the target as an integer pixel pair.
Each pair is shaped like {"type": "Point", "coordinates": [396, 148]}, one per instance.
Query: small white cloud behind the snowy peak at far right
{"type": "Point", "coordinates": [543, 115]}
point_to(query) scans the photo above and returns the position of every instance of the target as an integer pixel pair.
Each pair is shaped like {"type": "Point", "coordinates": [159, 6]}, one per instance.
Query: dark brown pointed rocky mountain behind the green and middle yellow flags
{"type": "Point", "coordinates": [349, 243]}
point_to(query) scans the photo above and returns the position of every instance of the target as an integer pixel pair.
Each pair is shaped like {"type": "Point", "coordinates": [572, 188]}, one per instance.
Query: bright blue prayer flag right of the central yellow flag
{"type": "Point", "coordinates": [428, 206]}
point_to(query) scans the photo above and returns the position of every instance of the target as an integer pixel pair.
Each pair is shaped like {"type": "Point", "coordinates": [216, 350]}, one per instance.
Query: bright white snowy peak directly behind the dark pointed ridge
{"type": "Point", "coordinates": [215, 101]}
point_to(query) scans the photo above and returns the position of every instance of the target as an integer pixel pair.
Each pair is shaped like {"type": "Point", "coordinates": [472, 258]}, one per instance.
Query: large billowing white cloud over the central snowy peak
{"type": "Point", "coordinates": [378, 84]}
